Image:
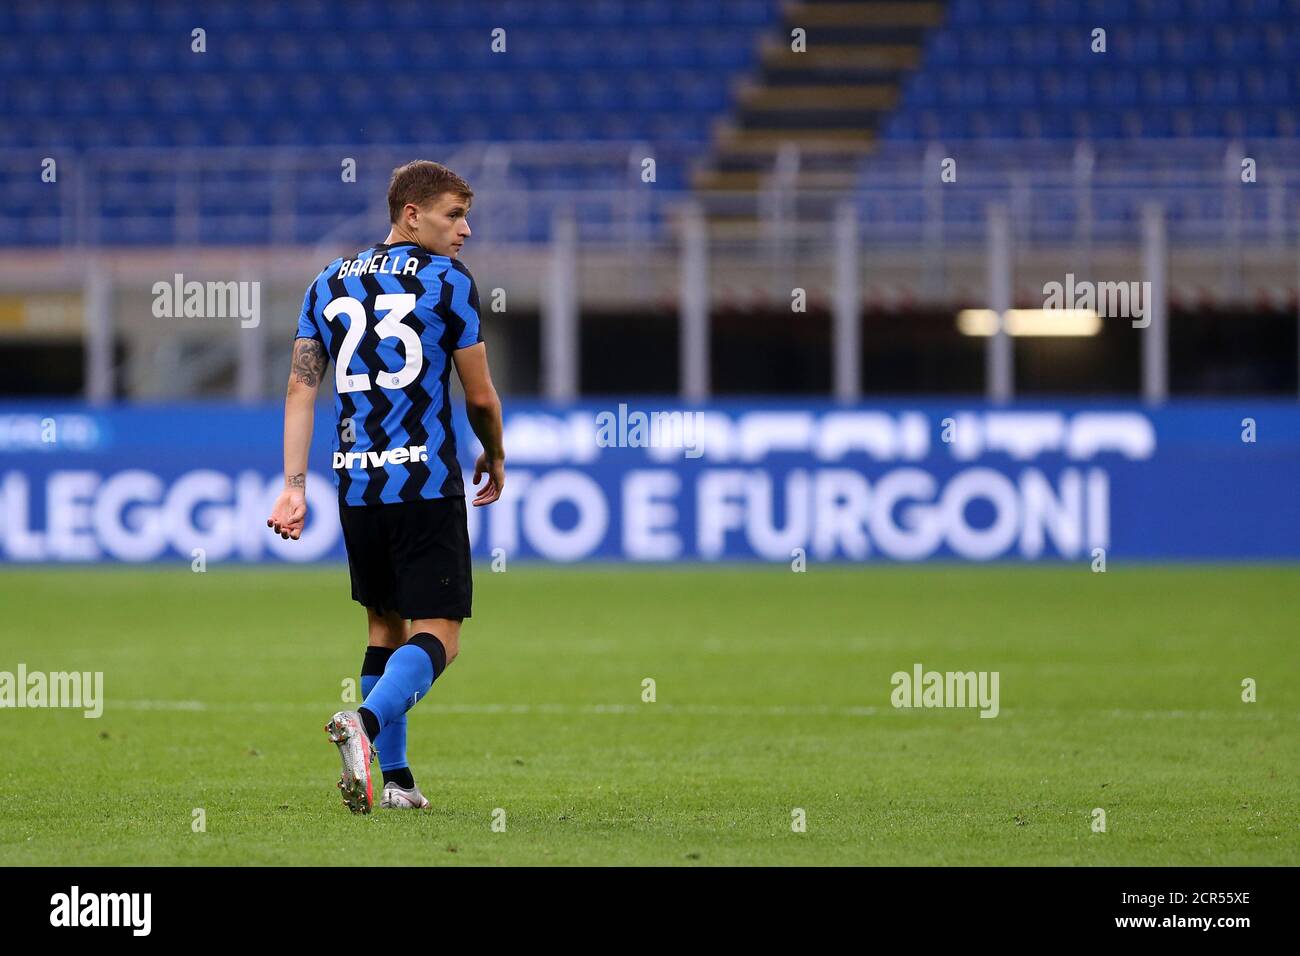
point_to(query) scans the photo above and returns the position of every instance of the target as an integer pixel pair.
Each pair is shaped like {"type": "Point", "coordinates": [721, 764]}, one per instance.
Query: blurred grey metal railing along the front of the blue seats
{"type": "Point", "coordinates": [1086, 193]}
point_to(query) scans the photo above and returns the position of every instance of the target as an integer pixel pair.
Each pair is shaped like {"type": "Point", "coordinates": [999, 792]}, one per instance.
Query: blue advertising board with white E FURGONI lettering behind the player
{"type": "Point", "coordinates": [651, 481]}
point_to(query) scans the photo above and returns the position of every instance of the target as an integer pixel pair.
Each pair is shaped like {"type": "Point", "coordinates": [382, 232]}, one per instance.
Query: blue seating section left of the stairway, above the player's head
{"type": "Point", "coordinates": [119, 88]}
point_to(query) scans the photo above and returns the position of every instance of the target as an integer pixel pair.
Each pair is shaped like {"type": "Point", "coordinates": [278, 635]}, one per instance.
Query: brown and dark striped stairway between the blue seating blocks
{"type": "Point", "coordinates": [814, 114]}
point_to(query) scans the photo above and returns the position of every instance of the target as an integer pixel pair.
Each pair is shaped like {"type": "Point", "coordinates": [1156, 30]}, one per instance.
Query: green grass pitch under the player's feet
{"type": "Point", "coordinates": [1120, 691]}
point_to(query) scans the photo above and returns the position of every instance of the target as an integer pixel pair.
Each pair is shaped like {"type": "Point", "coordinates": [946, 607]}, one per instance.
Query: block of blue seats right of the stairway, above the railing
{"type": "Point", "coordinates": [1172, 68]}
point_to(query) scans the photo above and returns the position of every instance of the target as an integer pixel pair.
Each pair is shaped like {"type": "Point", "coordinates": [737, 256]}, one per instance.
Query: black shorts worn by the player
{"type": "Point", "coordinates": [410, 557]}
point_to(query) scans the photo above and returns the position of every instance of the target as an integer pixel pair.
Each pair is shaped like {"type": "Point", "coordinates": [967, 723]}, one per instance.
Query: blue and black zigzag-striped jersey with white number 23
{"type": "Point", "coordinates": [391, 318]}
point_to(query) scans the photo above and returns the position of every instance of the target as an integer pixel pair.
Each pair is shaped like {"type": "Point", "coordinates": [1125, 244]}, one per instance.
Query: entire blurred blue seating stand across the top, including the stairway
{"type": "Point", "coordinates": [735, 101]}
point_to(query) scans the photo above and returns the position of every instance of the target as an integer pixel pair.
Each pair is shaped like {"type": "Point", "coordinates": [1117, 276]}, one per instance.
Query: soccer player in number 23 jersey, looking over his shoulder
{"type": "Point", "coordinates": [395, 319]}
